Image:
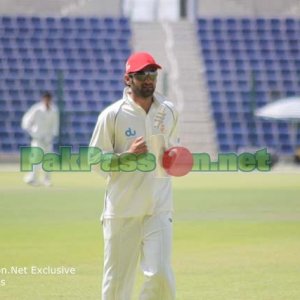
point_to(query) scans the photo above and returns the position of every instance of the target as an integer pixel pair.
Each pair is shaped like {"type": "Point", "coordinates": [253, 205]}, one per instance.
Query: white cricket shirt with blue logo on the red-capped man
{"type": "Point", "coordinates": [130, 194]}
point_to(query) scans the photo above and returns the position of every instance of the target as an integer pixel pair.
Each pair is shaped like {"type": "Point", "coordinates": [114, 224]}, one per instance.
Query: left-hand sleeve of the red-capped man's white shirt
{"type": "Point", "coordinates": [103, 140]}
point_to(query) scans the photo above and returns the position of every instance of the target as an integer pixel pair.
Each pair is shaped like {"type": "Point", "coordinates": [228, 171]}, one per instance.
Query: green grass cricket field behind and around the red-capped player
{"type": "Point", "coordinates": [237, 236]}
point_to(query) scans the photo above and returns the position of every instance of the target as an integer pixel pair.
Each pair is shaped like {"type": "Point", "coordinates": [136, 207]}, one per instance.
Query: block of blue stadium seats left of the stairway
{"type": "Point", "coordinates": [84, 56]}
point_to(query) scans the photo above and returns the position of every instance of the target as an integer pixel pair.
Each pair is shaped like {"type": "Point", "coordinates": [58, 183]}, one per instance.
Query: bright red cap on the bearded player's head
{"type": "Point", "coordinates": [140, 60]}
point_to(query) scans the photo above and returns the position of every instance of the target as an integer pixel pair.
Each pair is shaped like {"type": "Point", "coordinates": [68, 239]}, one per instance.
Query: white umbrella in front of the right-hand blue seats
{"type": "Point", "coordinates": [287, 109]}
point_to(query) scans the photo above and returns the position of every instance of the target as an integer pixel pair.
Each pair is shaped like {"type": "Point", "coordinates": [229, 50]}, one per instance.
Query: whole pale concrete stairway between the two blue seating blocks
{"type": "Point", "coordinates": [175, 46]}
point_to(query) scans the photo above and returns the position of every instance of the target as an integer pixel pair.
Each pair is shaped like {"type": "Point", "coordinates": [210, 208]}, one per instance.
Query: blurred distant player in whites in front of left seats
{"type": "Point", "coordinates": [41, 122]}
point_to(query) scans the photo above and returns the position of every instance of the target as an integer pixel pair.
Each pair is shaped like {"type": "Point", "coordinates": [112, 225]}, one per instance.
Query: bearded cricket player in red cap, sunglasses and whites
{"type": "Point", "coordinates": [137, 214]}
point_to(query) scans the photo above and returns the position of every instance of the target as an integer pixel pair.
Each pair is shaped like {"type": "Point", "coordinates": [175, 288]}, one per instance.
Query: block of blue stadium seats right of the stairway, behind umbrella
{"type": "Point", "coordinates": [250, 62]}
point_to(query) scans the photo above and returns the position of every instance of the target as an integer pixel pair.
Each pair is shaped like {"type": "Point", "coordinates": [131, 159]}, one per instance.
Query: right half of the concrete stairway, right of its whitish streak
{"type": "Point", "coordinates": [197, 128]}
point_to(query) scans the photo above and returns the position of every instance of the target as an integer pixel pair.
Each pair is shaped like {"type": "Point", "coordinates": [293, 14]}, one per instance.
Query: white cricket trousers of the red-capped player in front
{"type": "Point", "coordinates": [126, 240]}
